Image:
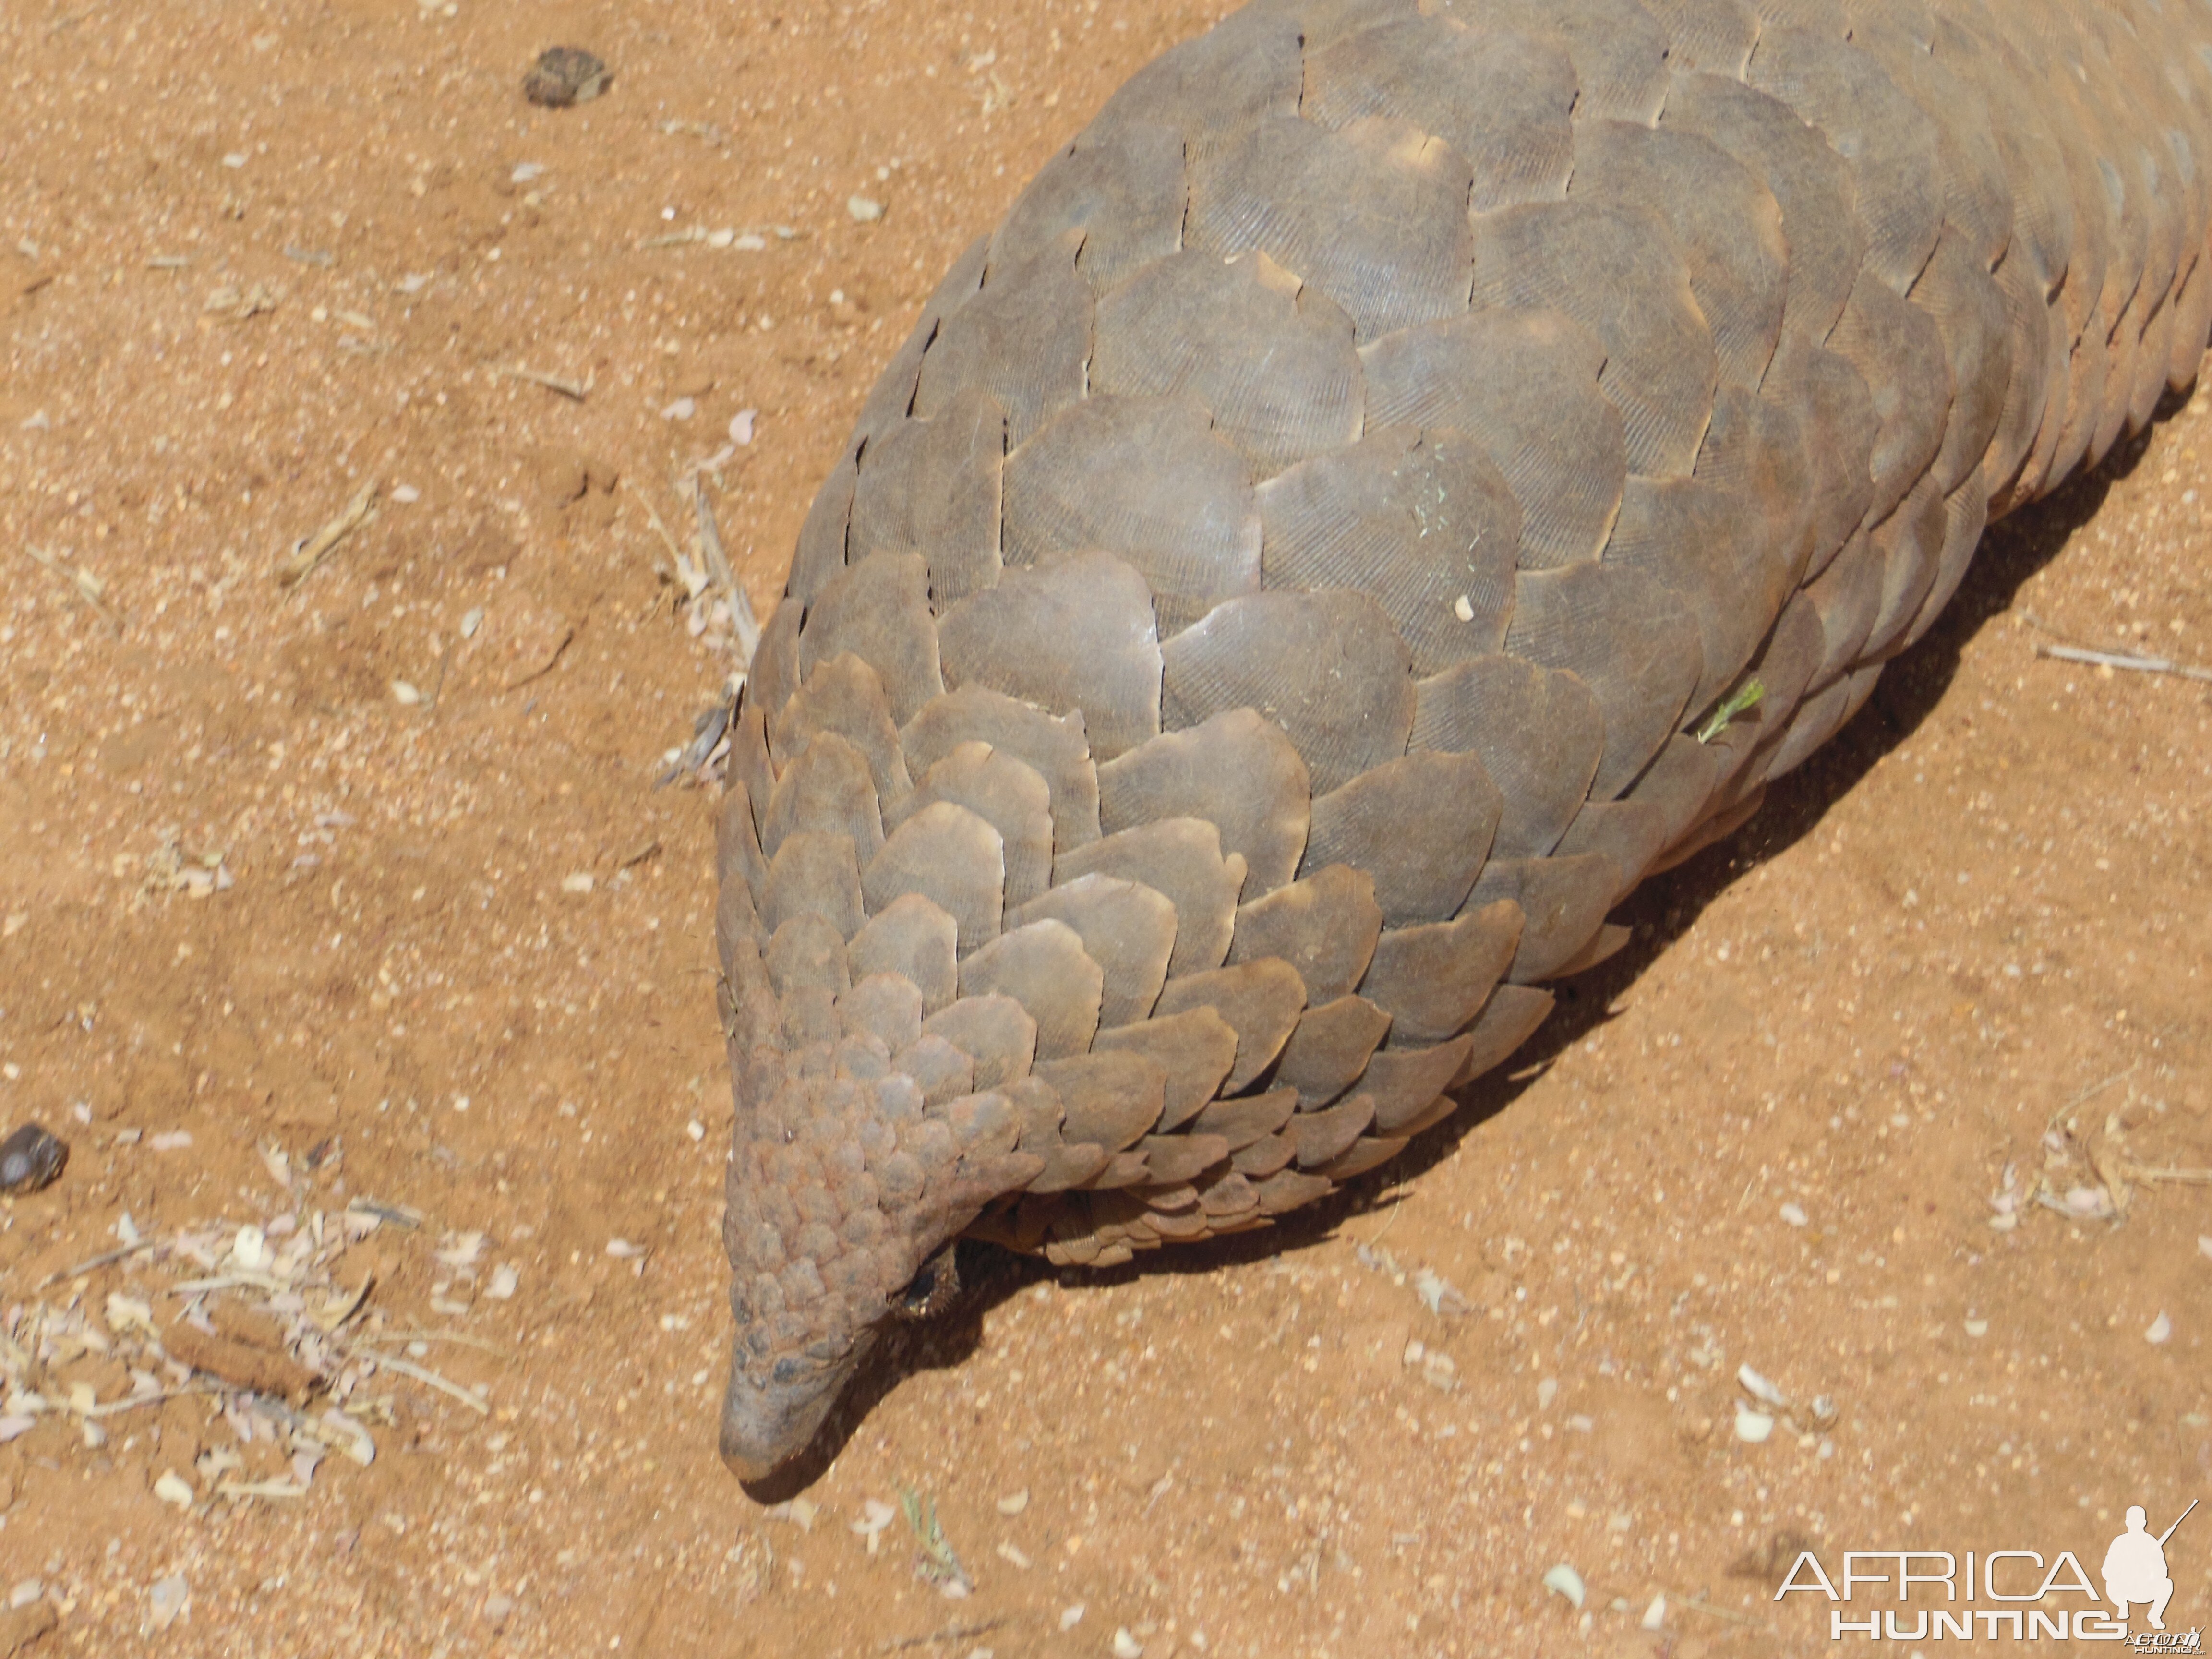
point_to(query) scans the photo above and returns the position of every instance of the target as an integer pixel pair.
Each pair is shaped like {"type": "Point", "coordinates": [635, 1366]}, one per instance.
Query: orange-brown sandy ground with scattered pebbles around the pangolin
{"type": "Point", "coordinates": [302, 875]}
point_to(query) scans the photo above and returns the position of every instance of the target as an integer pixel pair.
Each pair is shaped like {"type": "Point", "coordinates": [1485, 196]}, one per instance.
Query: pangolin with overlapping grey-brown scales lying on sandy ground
{"type": "Point", "coordinates": [1404, 474]}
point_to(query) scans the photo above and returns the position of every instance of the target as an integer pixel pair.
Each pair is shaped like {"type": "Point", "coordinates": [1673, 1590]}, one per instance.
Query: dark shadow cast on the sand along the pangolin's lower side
{"type": "Point", "coordinates": [1658, 912]}
